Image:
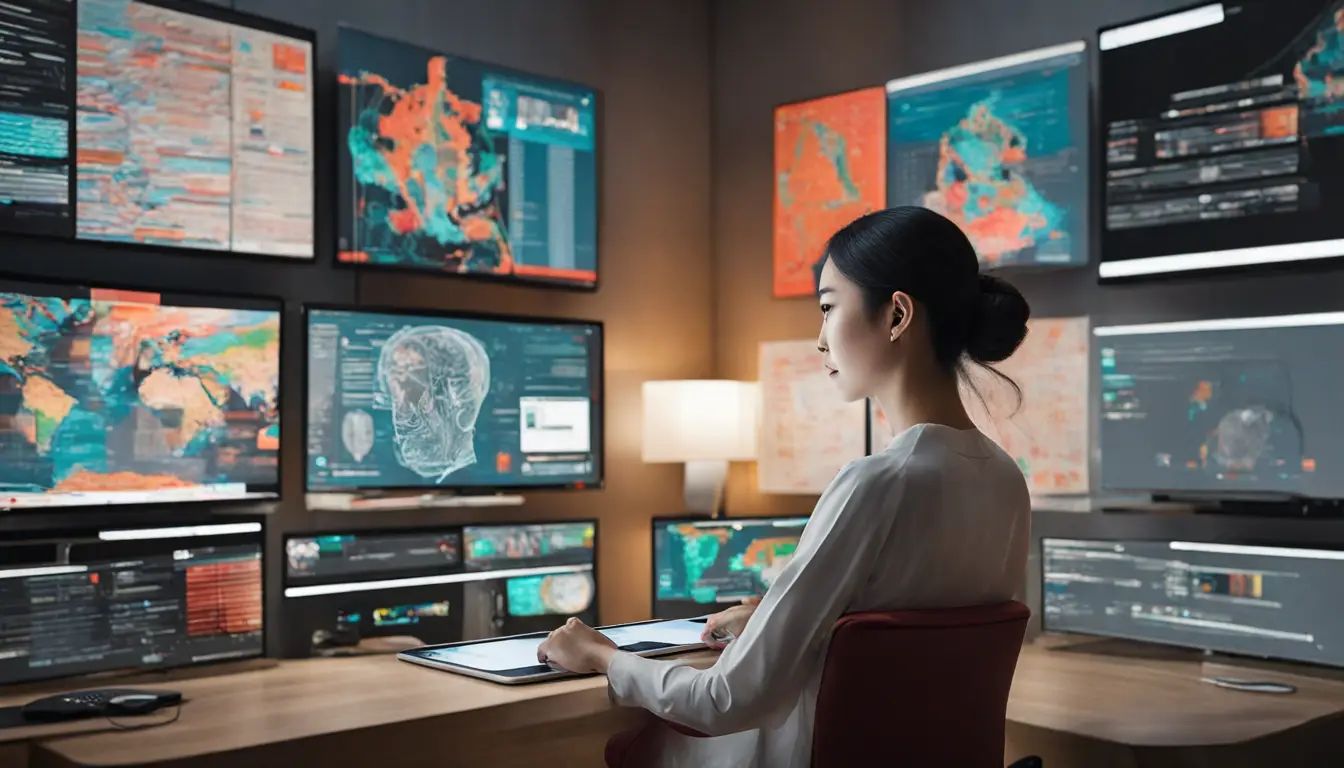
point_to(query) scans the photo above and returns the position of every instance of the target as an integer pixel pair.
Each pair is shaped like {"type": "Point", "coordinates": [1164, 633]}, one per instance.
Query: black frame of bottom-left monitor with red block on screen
{"type": "Point", "coordinates": [134, 672]}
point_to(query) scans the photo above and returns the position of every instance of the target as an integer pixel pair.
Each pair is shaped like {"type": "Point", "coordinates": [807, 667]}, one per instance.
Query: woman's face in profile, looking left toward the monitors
{"type": "Point", "coordinates": [855, 344]}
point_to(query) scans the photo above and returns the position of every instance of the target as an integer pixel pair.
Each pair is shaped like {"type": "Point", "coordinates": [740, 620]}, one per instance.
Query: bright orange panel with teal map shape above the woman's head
{"type": "Point", "coordinates": [830, 169]}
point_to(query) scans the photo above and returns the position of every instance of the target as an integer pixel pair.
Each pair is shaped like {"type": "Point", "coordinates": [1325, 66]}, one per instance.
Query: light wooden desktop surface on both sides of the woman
{"type": "Point", "coordinates": [1139, 703]}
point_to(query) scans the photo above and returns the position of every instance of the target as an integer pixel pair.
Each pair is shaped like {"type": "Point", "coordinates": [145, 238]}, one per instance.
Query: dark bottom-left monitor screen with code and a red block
{"type": "Point", "coordinates": [130, 599]}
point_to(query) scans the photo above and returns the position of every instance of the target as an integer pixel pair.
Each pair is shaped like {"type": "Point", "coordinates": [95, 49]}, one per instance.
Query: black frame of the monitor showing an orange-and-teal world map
{"type": "Point", "coordinates": [272, 494]}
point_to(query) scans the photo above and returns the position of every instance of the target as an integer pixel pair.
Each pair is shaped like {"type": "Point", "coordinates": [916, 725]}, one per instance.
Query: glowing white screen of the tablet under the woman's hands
{"type": "Point", "coordinates": [514, 660]}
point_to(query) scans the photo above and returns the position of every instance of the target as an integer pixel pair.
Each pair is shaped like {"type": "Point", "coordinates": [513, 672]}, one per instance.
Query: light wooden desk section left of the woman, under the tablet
{"type": "Point", "coordinates": [370, 711]}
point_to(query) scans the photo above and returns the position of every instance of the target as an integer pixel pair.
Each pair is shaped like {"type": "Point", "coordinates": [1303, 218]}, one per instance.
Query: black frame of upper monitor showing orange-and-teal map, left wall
{"type": "Point", "coordinates": [599, 102]}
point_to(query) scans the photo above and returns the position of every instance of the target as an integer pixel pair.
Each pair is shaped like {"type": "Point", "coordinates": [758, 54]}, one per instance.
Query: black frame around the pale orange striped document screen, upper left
{"type": "Point", "coordinates": [225, 14]}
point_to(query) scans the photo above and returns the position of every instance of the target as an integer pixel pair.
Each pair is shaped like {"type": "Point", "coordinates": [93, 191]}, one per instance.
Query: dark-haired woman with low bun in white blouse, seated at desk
{"type": "Point", "coordinates": [937, 520]}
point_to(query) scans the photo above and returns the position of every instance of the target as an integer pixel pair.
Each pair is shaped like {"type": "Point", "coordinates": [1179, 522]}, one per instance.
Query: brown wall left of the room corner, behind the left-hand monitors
{"type": "Point", "coordinates": [650, 64]}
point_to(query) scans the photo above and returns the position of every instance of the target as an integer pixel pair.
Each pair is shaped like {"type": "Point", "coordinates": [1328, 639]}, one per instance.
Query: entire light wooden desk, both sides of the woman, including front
{"type": "Point", "coordinates": [1072, 708]}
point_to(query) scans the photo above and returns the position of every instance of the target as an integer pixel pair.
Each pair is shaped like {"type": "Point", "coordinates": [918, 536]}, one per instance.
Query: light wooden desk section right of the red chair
{"type": "Point", "coordinates": [1099, 711]}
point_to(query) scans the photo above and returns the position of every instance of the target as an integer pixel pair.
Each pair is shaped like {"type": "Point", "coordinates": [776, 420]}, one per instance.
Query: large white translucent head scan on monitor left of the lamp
{"type": "Point", "coordinates": [435, 380]}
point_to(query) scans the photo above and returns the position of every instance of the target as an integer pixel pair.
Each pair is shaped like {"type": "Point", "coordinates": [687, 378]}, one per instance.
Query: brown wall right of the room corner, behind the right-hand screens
{"type": "Point", "coordinates": [778, 52]}
